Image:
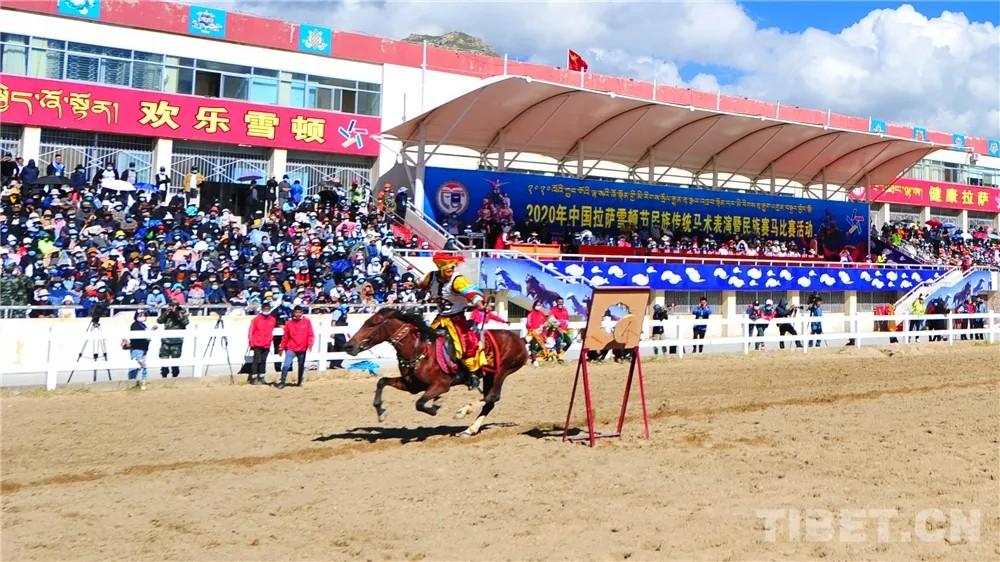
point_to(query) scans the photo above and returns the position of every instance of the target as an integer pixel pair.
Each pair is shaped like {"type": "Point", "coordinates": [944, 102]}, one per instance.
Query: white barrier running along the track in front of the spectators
{"type": "Point", "coordinates": [65, 349]}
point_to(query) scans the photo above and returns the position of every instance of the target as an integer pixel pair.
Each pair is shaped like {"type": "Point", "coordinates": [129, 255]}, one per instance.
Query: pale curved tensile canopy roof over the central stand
{"type": "Point", "coordinates": [517, 115]}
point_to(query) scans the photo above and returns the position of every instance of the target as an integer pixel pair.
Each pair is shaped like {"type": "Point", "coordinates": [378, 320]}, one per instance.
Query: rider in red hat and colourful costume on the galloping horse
{"type": "Point", "coordinates": [453, 293]}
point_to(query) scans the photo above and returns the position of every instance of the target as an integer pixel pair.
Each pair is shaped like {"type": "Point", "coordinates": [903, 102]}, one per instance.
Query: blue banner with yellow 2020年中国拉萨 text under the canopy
{"type": "Point", "coordinates": [562, 206]}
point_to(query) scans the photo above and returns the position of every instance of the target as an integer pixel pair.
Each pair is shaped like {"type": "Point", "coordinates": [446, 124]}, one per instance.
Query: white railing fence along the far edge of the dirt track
{"type": "Point", "coordinates": [39, 352]}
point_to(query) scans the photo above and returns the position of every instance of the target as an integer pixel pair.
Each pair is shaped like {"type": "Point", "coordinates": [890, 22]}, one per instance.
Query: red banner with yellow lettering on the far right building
{"type": "Point", "coordinates": [922, 193]}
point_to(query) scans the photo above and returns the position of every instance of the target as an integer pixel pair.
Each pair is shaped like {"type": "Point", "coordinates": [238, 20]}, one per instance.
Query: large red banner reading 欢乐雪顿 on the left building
{"type": "Point", "coordinates": [73, 105]}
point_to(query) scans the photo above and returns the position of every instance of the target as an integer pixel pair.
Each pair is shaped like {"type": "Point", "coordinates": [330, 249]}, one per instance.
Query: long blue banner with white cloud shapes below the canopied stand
{"type": "Point", "coordinates": [572, 279]}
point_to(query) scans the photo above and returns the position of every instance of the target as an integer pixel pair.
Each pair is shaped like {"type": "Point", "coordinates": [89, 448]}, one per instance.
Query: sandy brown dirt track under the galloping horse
{"type": "Point", "coordinates": [200, 470]}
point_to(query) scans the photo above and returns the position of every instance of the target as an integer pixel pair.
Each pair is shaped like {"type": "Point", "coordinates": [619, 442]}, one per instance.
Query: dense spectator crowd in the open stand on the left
{"type": "Point", "coordinates": [78, 245]}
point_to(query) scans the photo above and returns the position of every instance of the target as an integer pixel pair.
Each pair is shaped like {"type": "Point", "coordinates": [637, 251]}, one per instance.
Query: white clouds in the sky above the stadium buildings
{"type": "Point", "coordinates": [895, 64]}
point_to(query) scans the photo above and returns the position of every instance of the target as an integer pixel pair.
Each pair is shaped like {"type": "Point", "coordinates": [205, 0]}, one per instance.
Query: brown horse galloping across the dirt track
{"type": "Point", "coordinates": [419, 371]}
